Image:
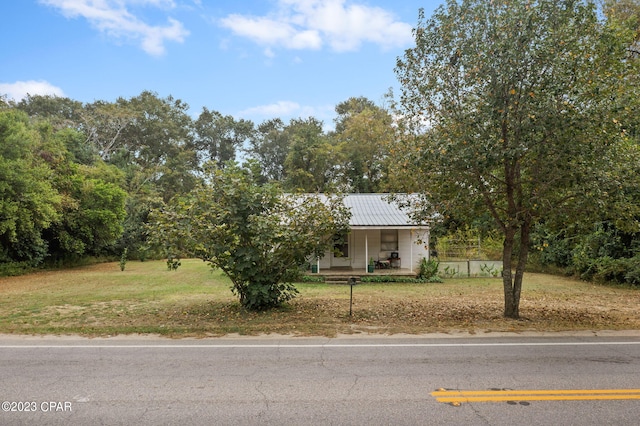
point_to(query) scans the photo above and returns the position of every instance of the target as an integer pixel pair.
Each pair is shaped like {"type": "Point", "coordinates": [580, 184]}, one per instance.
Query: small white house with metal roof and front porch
{"type": "Point", "coordinates": [380, 232]}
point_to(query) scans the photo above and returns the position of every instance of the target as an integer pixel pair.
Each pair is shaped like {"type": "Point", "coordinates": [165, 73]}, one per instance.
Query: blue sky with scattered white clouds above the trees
{"type": "Point", "coordinates": [250, 59]}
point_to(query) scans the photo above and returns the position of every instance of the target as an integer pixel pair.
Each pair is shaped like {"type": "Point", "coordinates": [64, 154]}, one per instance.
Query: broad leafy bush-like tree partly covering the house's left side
{"type": "Point", "coordinates": [256, 234]}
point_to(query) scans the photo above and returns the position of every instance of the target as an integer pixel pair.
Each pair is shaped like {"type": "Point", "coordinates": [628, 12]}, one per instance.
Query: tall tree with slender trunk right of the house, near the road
{"type": "Point", "coordinates": [523, 108]}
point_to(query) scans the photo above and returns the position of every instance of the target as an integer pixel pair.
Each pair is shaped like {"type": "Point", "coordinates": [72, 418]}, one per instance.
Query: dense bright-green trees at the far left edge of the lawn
{"type": "Point", "coordinates": [50, 205]}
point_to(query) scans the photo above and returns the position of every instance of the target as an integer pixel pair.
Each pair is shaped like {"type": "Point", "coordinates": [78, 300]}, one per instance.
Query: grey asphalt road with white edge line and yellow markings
{"type": "Point", "coordinates": [562, 380]}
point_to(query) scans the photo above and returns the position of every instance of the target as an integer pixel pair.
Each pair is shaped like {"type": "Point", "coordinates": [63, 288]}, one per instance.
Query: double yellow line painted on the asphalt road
{"type": "Point", "coordinates": [459, 396]}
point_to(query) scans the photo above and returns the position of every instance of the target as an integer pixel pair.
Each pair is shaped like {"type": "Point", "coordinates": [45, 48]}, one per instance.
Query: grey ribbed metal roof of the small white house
{"type": "Point", "coordinates": [376, 210]}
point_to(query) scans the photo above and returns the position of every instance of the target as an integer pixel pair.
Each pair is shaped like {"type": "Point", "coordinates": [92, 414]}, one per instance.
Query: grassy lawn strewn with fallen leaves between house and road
{"type": "Point", "coordinates": [101, 300]}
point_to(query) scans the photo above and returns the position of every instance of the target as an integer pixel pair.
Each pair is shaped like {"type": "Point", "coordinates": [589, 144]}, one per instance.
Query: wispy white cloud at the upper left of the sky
{"type": "Point", "coordinates": [113, 18]}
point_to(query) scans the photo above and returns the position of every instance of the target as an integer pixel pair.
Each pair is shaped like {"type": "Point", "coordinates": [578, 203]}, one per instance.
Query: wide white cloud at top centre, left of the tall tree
{"type": "Point", "coordinates": [311, 24]}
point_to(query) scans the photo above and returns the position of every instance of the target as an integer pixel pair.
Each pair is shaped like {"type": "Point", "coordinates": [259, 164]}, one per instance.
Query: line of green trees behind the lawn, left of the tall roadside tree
{"type": "Point", "coordinates": [80, 179]}
